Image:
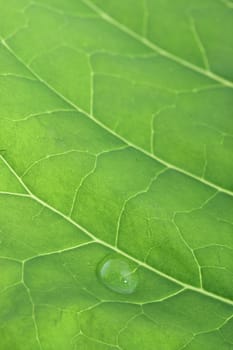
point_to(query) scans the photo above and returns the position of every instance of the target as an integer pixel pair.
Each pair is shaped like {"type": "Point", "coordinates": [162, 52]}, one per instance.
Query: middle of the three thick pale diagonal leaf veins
{"type": "Point", "coordinates": [106, 128]}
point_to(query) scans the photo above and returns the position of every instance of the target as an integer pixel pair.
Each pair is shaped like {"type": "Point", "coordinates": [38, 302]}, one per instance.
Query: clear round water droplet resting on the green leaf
{"type": "Point", "coordinates": [118, 274]}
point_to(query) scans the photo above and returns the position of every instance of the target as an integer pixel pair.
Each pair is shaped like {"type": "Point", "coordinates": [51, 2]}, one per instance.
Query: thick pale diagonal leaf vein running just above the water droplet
{"type": "Point", "coordinates": [113, 248]}
